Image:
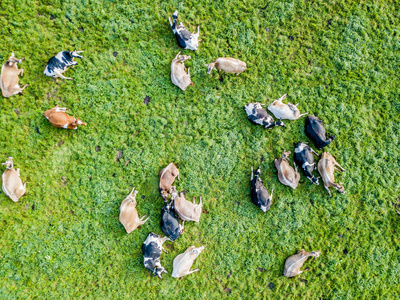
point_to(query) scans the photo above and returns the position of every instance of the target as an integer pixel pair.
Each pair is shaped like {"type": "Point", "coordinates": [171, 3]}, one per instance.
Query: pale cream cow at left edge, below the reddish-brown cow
{"type": "Point", "coordinates": [12, 185]}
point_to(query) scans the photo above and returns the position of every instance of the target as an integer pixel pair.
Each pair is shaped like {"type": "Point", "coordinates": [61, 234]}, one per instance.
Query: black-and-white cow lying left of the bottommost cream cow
{"type": "Point", "coordinates": [151, 249]}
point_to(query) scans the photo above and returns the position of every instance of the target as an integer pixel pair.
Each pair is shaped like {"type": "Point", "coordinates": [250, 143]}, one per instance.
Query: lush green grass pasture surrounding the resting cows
{"type": "Point", "coordinates": [338, 59]}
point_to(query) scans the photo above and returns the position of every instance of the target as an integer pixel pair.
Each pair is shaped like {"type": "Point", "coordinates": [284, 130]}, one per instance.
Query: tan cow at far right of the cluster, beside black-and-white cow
{"type": "Point", "coordinates": [326, 167]}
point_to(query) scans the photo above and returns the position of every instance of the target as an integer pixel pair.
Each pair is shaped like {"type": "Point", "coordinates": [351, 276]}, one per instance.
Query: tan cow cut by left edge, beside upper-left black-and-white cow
{"type": "Point", "coordinates": [9, 81]}
